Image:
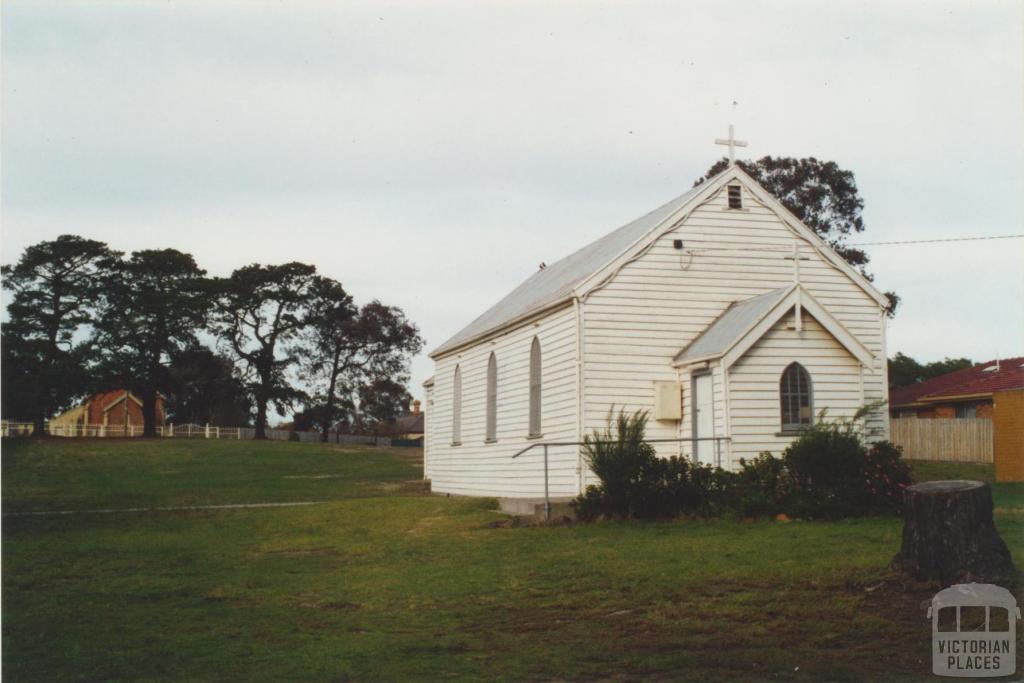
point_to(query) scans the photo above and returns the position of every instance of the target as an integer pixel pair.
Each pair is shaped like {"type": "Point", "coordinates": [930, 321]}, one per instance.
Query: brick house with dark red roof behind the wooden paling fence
{"type": "Point", "coordinates": [965, 394]}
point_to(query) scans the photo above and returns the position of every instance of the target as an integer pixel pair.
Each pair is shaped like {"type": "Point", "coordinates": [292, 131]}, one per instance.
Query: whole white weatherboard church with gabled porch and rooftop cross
{"type": "Point", "coordinates": [720, 314]}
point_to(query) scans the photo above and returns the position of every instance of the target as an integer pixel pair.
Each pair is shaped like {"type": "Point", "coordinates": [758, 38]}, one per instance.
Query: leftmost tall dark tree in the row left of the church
{"type": "Point", "coordinates": [56, 286]}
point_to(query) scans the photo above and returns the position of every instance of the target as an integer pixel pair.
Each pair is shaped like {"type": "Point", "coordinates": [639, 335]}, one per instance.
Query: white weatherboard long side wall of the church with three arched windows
{"type": "Point", "coordinates": [477, 468]}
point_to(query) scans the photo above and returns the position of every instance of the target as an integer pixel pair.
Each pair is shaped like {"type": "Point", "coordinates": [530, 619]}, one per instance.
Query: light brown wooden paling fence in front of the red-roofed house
{"type": "Point", "coordinates": [962, 441]}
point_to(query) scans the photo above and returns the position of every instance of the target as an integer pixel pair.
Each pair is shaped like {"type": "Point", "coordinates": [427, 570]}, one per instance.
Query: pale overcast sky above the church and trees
{"type": "Point", "coordinates": [431, 155]}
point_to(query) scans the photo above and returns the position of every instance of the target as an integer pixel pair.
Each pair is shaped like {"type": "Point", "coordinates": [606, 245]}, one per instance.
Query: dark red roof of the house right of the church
{"type": "Point", "coordinates": [978, 381]}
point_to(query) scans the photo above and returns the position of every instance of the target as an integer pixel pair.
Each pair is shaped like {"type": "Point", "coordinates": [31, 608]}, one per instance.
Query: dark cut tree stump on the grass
{"type": "Point", "coordinates": [950, 535]}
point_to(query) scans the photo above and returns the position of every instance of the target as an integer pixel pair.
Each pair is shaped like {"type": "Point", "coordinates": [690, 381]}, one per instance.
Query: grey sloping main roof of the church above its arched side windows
{"type": "Point", "coordinates": [557, 282]}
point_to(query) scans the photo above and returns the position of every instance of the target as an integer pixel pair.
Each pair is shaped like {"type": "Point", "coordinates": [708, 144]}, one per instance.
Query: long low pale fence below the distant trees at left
{"type": "Point", "coordinates": [186, 432]}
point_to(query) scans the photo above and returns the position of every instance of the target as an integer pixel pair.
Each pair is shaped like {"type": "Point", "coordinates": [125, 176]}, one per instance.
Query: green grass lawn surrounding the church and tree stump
{"type": "Point", "coordinates": [385, 582]}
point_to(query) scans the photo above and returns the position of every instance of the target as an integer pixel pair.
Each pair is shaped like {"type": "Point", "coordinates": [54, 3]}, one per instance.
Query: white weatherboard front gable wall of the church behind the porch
{"type": "Point", "coordinates": [659, 304]}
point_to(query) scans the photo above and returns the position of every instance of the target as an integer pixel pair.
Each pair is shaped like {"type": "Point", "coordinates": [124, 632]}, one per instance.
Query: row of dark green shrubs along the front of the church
{"type": "Point", "coordinates": [827, 474]}
